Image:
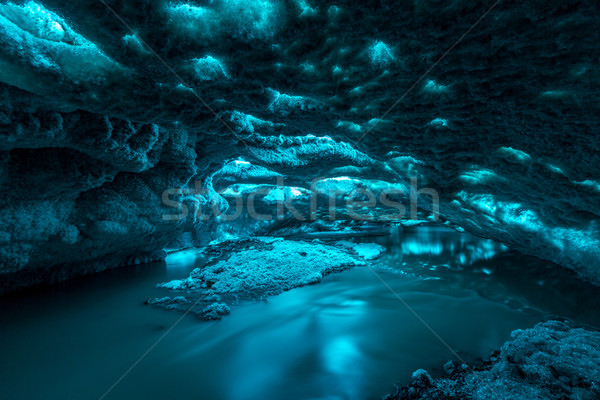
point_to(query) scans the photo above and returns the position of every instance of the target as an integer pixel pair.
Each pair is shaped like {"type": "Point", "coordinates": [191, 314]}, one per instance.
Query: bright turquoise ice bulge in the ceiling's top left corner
{"type": "Point", "coordinates": [38, 41]}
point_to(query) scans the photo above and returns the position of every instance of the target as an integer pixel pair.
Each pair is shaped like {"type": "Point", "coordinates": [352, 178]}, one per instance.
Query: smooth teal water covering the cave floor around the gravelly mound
{"type": "Point", "coordinates": [348, 337]}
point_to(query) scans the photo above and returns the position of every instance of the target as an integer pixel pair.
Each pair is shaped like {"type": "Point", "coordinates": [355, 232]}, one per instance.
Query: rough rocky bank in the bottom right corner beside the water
{"type": "Point", "coordinates": [550, 361]}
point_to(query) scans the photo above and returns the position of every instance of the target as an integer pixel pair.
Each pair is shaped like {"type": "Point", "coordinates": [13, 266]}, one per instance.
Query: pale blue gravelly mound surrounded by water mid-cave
{"type": "Point", "coordinates": [256, 269]}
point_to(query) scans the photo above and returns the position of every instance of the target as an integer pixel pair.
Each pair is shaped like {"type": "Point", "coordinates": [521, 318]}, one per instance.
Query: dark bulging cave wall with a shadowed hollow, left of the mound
{"type": "Point", "coordinates": [78, 188]}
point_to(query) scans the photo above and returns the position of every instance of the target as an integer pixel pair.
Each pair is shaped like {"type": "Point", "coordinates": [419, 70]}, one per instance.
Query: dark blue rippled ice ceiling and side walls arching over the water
{"type": "Point", "coordinates": [105, 105]}
